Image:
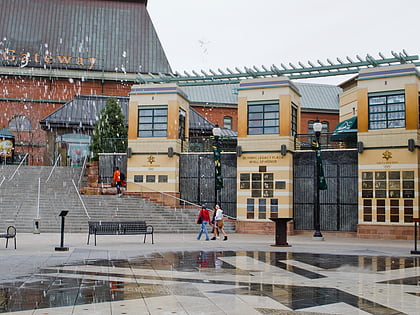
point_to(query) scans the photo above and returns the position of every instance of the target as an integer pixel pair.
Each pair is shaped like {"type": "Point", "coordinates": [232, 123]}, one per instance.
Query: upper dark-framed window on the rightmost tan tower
{"type": "Point", "coordinates": [387, 111]}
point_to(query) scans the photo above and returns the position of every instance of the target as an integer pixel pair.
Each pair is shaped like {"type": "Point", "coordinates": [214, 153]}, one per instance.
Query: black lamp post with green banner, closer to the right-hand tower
{"type": "Point", "coordinates": [317, 126]}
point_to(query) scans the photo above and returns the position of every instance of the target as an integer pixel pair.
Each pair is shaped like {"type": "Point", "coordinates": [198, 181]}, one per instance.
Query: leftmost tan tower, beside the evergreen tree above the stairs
{"type": "Point", "coordinates": [158, 125]}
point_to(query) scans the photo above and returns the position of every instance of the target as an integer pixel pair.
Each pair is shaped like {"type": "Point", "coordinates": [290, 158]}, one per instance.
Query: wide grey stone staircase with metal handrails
{"type": "Point", "coordinates": [19, 199]}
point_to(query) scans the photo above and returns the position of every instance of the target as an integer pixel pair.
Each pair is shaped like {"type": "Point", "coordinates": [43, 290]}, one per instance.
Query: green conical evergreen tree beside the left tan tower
{"type": "Point", "coordinates": [110, 131]}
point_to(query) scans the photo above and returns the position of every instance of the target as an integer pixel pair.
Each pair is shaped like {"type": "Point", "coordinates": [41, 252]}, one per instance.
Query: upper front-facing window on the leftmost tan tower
{"type": "Point", "coordinates": [153, 121]}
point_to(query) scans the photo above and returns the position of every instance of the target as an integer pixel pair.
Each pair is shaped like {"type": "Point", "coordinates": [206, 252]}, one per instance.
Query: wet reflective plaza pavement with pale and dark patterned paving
{"type": "Point", "coordinates": [180, 275]}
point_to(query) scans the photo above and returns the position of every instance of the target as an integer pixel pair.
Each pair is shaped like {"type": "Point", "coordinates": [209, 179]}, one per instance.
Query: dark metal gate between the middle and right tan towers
{"type": "Point", "coordinates": [338, 204]}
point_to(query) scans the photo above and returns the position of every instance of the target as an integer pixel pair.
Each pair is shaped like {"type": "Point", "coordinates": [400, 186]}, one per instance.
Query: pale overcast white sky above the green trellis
{"type": "Point", "coordinates": [204, 34]}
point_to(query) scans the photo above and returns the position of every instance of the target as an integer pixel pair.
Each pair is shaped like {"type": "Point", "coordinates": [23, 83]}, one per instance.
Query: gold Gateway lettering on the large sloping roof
{"type": "Point", "coordinates": [35, 59]}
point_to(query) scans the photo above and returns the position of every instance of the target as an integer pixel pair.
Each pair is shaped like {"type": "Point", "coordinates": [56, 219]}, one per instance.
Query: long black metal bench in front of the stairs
{"type": "Point", "coordinates": [119, 228]}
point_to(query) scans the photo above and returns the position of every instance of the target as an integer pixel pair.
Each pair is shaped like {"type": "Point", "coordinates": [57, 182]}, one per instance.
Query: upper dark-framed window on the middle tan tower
{"type": "Point", "coordinates": [263, 118]}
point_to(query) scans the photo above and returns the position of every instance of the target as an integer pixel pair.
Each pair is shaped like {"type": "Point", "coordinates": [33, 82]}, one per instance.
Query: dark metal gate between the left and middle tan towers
{"type": "Point", "coordinates": [197, 180]}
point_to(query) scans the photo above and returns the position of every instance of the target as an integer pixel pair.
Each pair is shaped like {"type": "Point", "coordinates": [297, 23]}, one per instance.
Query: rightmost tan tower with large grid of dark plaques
{"type": "Point", "coordinates": [387, 103]}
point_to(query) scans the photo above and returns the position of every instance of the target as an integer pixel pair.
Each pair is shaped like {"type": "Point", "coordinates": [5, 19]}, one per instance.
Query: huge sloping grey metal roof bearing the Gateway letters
{"type": "Point", "coordinates": [112, 36]}
